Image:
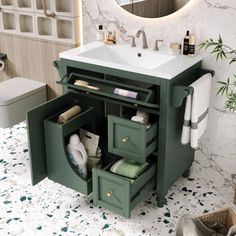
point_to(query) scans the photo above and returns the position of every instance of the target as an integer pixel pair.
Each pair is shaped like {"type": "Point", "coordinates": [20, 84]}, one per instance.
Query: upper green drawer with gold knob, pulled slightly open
{"type": "Point", "coordinates": [130, 139]}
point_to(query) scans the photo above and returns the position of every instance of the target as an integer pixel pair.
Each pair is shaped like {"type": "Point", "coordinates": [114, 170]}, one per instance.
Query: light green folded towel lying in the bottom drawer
{"type": "Point", "coordinates": [128, 168]}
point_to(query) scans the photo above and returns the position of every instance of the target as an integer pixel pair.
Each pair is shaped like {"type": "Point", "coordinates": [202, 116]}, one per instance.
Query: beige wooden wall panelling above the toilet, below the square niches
{"type": "Point", "coordinates": [32, 58]}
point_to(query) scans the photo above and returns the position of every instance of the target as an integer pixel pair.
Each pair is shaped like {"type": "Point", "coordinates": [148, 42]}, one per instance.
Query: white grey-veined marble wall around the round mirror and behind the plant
{"type": "Point", "coordinates": [205, 18]}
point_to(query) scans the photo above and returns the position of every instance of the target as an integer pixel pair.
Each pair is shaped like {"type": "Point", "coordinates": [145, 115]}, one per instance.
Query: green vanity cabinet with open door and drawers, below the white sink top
{"type": "Point", "coordinates": [108, 115]}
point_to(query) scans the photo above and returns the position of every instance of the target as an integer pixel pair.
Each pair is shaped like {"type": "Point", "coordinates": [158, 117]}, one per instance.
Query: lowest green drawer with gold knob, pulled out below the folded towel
{"type": "Point", "coordinates": [120, 194]}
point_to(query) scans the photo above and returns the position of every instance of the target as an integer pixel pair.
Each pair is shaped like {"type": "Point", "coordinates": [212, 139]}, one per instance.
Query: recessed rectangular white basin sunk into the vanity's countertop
{"type": "Point", "coordinates": [128, 56]}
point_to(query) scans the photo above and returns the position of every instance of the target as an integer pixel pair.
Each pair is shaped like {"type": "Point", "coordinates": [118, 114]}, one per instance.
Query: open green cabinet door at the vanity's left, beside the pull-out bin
{"type": "Point", "coordinates": [35, 124]}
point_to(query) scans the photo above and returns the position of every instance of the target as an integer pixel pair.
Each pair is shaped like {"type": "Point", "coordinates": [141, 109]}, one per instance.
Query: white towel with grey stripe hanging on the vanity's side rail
{"type": "Point", "coordinates": [196, 111]}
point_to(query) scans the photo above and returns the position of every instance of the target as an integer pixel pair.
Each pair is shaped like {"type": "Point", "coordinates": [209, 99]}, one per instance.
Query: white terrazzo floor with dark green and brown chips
{"type": "Point", "coordinates": [51, 209]}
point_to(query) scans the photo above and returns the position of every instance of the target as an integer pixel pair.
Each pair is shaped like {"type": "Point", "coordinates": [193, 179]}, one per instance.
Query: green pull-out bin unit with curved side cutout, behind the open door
{"type": "Point", "coordinates": [58, 165]}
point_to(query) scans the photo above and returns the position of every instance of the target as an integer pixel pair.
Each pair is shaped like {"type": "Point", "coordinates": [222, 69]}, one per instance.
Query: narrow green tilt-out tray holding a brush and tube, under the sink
{"type": "Point", "coordinates": [106, 89]}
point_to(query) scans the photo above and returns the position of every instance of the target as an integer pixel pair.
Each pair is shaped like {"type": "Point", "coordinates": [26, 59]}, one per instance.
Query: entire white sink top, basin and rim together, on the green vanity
{"type": "Point", "coordinates": [137, 60]}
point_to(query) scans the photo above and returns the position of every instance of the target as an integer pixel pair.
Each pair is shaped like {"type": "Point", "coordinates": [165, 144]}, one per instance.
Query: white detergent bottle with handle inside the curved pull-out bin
{"type": "Point", "coordinates": [78, 155]}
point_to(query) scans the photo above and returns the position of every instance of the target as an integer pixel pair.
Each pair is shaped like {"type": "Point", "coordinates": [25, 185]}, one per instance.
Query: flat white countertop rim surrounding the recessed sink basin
{"type": "Point", "coordinates": [168, 70]}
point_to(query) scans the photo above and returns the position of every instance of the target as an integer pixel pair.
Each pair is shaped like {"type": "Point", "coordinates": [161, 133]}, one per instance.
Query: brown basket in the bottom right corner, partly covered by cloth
{"type": "Point", "coordinates": [224, 216]}
